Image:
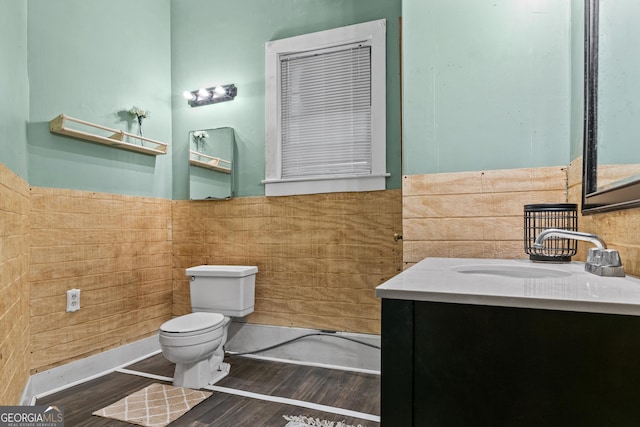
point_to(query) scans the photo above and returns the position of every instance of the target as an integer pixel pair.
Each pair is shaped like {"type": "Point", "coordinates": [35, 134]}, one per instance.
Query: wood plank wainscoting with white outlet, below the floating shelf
{"type": "Point", "coordinates": [117, 250]}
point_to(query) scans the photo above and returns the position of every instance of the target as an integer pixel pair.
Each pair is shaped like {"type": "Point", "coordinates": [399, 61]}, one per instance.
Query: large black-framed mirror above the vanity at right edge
{"type": "Point", "coordinates": [611, 169]}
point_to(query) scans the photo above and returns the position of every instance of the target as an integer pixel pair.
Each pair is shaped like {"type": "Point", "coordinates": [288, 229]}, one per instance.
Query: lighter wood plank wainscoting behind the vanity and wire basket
{"type": "Point", "coordinates": [474, 214]}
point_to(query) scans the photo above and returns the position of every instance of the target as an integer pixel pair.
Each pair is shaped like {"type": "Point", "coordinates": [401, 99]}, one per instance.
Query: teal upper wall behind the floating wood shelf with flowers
{"type": "Point", "coordinates": [91, 60]}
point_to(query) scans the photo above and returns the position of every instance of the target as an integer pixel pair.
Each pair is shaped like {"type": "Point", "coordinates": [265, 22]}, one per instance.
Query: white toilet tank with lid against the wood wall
{"type": "Point", "coordinates": [225, 289]}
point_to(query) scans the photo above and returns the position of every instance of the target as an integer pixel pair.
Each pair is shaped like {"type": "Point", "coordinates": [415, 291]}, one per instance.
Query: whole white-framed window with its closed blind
{"type": "Point", "coordinates": [325, 111]}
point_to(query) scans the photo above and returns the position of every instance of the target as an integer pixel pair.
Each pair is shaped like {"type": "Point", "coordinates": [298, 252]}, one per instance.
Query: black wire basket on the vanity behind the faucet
{"type": "Point", "coordinates": [538, 218]}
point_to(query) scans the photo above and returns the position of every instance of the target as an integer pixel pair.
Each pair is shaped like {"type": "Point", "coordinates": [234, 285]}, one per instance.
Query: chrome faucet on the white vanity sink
{"type": "Point", "coordinates": [600, 260]}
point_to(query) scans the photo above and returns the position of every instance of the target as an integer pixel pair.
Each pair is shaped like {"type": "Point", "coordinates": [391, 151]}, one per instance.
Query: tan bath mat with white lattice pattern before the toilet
{"type": "Point", "coordinates": [154, 406]}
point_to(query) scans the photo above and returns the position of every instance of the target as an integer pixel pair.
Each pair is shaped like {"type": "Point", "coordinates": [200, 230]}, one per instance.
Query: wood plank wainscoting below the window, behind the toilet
{"type": "Point", "coordinates": [319, 257]}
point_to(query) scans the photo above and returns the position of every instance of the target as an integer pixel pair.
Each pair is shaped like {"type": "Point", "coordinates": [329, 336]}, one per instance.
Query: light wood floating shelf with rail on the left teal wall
{"type": "Point", "coordinates": [117, 138]}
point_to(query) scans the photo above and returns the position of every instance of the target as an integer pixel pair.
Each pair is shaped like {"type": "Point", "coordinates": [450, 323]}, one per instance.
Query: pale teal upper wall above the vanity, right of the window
{"type": "Point", "coordinates": [486, 84]}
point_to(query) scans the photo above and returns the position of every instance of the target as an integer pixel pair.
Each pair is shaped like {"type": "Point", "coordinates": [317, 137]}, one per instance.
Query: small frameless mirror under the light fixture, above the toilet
{"type": "Point", "coordinates": [211, 153]}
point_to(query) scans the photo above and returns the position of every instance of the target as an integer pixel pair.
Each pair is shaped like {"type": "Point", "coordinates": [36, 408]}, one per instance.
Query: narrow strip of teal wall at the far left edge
{"type": "Point", "coordinates": [14, 86]}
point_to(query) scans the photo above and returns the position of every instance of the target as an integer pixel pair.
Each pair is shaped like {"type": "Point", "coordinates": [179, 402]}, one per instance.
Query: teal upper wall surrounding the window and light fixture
{"type": "Point", "coordinates": [223, 42]}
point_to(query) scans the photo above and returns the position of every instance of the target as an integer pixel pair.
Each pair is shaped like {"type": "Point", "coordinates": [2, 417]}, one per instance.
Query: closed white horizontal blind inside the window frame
{"type": "Point", "coordinates": [325, 106]}
